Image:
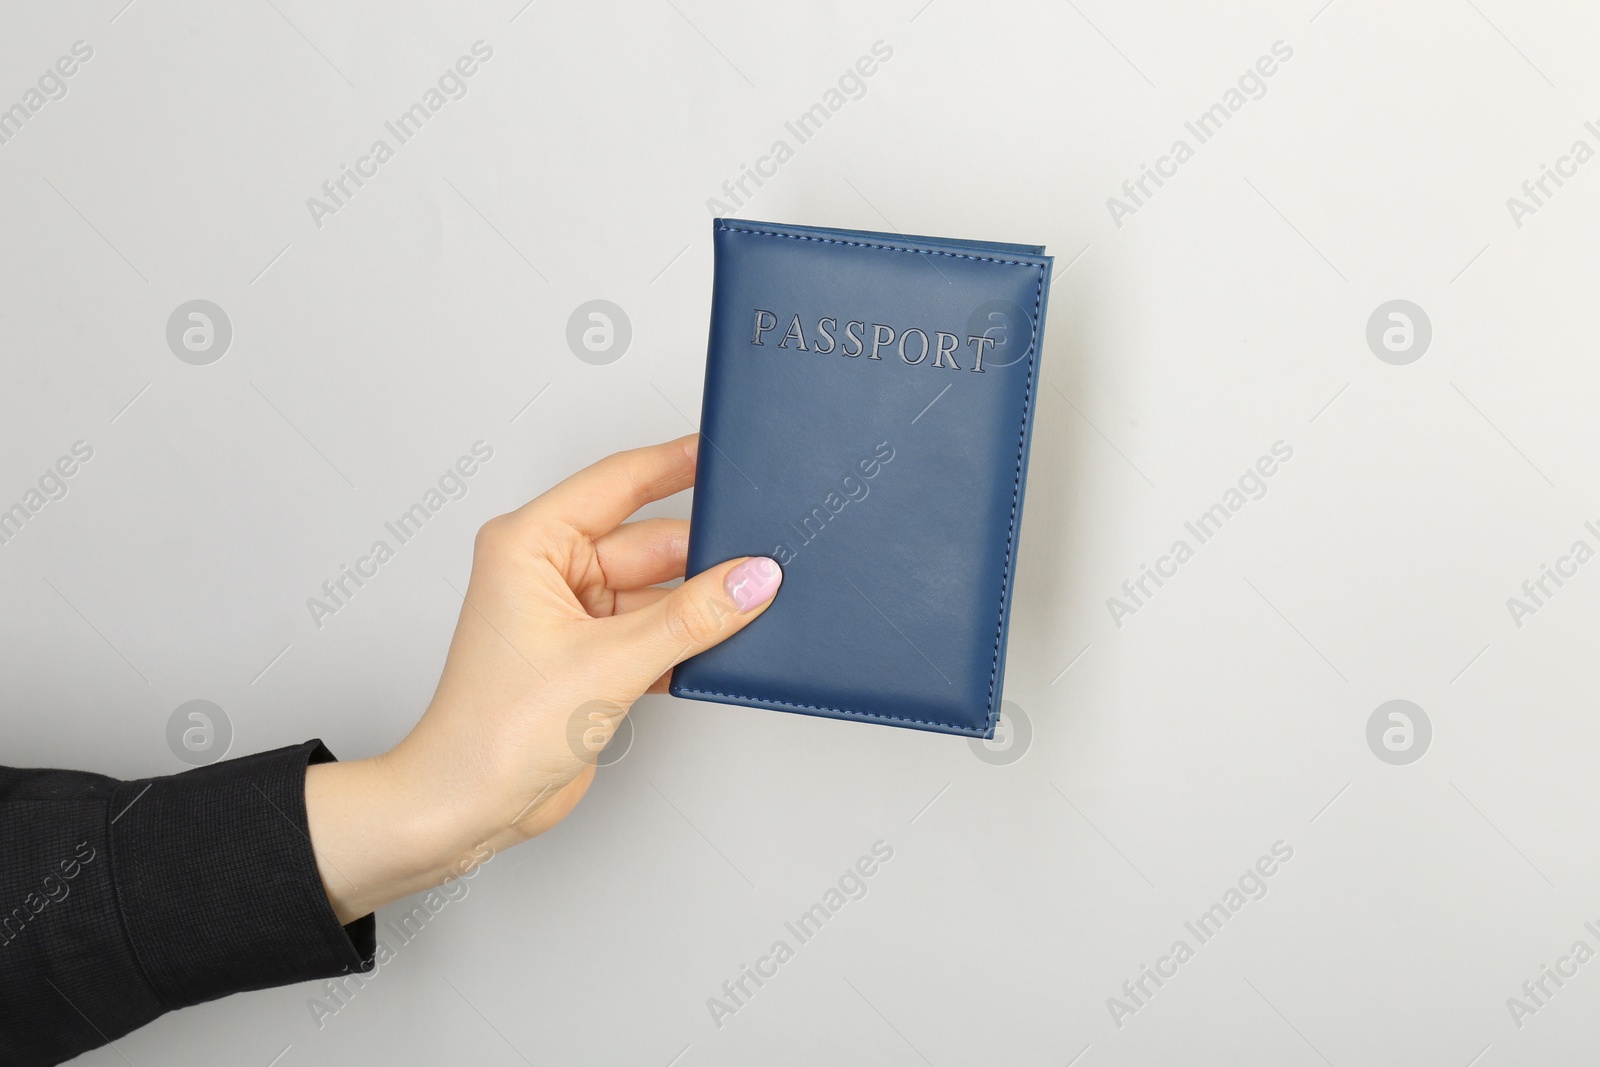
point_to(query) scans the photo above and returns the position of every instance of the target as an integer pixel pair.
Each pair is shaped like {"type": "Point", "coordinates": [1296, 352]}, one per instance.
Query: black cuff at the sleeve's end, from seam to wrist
{"type": "Point", "coordinates": [218, 885]}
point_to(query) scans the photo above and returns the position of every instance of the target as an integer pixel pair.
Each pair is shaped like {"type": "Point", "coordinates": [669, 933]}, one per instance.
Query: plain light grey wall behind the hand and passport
{"type": "Point", "coordinates": [1167, 756]}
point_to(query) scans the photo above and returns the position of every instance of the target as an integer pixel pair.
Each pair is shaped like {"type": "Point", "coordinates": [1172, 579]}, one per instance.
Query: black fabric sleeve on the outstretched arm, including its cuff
{"type": "Point", "coordinates": [121, 901]}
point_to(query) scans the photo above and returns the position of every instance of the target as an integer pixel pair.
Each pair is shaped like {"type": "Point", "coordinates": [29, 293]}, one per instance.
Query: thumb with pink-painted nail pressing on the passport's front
{"type": "Point", "coordinates": [703, 612]}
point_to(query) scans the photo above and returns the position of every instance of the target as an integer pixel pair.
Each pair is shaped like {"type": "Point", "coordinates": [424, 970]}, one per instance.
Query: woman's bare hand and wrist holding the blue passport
{"type": "Point", "coordinates": [562, 629]}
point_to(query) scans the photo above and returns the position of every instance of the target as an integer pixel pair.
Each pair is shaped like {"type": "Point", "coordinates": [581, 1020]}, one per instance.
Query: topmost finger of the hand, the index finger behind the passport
{"type": "Point", "coordinates": [602, 495]}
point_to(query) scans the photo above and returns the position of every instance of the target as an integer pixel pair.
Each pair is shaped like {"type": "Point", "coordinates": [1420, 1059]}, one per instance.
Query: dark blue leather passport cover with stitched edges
{"type": "Point", "coordinates": [866, 423]}
